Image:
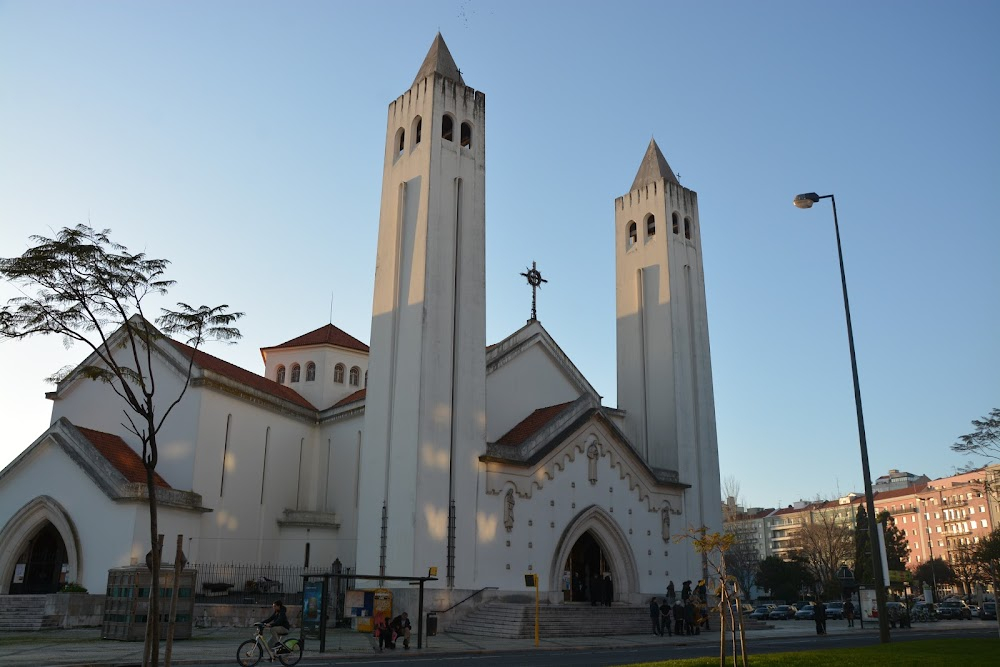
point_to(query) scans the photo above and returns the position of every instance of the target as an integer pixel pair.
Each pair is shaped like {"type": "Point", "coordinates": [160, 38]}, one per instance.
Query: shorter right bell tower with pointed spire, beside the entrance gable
{"type": "Point", "coordinates": [664, 362]}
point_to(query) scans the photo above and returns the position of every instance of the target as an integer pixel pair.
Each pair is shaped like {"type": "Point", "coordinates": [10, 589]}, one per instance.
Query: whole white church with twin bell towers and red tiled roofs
{"type": "Point", "coordinates": [426, 447]}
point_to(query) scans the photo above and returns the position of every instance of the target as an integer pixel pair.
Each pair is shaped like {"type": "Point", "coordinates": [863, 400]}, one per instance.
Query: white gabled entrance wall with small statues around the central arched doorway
{"type": "Point", "coordinates": [552, 494]}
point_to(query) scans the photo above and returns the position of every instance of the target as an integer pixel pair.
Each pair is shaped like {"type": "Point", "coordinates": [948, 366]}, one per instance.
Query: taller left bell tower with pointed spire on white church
{"type": "Point", "coordinates": [425, 410]}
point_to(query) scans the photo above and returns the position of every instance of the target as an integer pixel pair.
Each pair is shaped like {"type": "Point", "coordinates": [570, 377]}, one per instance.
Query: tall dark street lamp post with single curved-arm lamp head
{"type": "Point", "coordinates": [806, 201]}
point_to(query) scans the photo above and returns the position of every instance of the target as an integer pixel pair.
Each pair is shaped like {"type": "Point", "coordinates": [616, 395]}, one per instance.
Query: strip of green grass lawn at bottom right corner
{"type": "Point", "coordinates": [931, 652]}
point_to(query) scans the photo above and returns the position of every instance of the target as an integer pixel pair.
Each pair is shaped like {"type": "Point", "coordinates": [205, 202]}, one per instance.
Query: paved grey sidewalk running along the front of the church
{"type": "Point", "coordinates": [84, 647]}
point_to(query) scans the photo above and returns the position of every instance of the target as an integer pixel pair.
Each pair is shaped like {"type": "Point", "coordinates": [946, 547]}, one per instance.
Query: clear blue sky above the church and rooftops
{"type": "Point", "coordinates": [243, 141]}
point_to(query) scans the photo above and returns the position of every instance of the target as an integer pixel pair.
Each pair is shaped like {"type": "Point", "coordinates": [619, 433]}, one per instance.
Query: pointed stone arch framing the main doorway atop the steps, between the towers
{"type": "Point", "coordinates": [597, 524]}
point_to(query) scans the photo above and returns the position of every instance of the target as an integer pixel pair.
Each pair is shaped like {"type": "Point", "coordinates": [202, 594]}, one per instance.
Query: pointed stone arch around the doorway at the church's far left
{"type": "Point", "coordinates": [25, 525]}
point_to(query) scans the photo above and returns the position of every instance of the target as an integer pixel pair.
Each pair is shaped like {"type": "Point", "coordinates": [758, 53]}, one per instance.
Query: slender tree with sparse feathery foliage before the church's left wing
{"type": "Point", "coordinates": [89, 290]}
